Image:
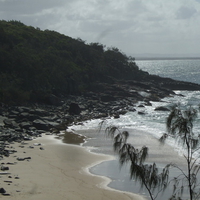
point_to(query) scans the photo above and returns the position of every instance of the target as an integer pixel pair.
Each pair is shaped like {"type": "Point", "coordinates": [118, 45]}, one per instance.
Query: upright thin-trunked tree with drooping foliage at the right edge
{"type": "Point", "coordinates": [180, 126]}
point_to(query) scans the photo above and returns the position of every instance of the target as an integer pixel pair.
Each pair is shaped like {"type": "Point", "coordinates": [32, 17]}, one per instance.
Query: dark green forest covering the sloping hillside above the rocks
{"type": "Point", "coordinates": [35, 63]}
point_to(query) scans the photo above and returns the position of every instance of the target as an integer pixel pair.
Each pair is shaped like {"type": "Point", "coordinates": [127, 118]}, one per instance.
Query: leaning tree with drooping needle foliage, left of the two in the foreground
{"type": "Point", "coordinates": [147, 175]}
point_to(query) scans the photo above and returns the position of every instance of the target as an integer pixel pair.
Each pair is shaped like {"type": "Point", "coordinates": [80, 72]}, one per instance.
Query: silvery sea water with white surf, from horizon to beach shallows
{"type": "Point", "coordinates": [152, 123]}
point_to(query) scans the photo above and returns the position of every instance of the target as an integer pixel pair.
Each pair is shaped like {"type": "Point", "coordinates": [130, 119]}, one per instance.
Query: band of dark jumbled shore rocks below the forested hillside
{"type": "Point", "coordinates": [19, 123]}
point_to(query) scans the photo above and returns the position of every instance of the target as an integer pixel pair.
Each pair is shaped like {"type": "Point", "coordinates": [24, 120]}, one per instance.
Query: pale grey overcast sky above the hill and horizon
{"type": "Point", "coordinates": [134, 26]}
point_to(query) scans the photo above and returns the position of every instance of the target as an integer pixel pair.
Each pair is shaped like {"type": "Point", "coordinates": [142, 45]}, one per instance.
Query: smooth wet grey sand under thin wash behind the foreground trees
{"type": "Point", "coordinates": [160, 154]}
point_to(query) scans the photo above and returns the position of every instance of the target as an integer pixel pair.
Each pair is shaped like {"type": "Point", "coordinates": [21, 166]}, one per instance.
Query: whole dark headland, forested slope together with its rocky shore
{"type": "Point", "coordinates": [49, 81]}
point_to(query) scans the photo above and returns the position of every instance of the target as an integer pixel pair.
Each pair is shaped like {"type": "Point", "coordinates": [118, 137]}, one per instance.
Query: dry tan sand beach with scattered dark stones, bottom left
{"type": "Point", "coordinates": [54, 170]}
